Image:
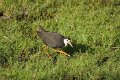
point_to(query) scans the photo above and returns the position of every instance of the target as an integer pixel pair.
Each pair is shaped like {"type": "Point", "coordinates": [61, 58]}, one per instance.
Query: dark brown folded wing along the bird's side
{"type": "Point", "coordinates": [52, 39]}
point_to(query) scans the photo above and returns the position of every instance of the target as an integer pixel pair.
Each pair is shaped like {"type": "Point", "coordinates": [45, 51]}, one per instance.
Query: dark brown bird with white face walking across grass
{"type": "Point", "coordinates": [54, 40]}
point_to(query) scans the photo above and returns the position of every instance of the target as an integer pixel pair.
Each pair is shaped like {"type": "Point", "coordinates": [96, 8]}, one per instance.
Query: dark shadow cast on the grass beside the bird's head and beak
{"type": "Point", "coordinates": [82, 48]}
